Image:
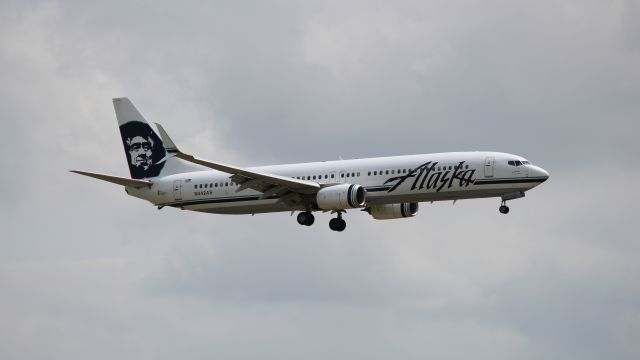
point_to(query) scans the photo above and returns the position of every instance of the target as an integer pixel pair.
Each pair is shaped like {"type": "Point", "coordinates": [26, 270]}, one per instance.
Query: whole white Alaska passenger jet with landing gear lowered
{"type": "Point", "coordinates": [384, 187]}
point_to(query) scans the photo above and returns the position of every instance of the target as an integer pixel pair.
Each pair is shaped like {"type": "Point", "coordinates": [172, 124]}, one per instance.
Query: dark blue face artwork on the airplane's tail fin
{"type": "Point", "coordinates": [144, 149]}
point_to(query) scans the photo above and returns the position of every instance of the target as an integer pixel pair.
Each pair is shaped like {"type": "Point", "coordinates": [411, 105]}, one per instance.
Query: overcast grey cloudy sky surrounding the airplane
{"type": "Point", "coordinates": [88, 272]}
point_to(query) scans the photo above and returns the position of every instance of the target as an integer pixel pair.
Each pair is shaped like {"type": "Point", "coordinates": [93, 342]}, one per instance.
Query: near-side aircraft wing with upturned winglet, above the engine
{"type": "Point", "coordinates": [268, 184]}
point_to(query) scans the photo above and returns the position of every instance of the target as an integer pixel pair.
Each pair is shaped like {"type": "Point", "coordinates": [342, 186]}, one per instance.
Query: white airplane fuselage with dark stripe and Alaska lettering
{"type": "Point", "coordinates": [387, 180]}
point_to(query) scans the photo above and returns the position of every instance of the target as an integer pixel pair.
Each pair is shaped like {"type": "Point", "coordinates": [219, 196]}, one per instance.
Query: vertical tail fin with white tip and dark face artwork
{"type": "Point", "coordinates": [143, 148]}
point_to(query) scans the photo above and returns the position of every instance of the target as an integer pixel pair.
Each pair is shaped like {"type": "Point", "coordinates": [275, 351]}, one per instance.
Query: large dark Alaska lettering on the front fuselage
{"type": "Point", "coordinates": [430, 177]}
